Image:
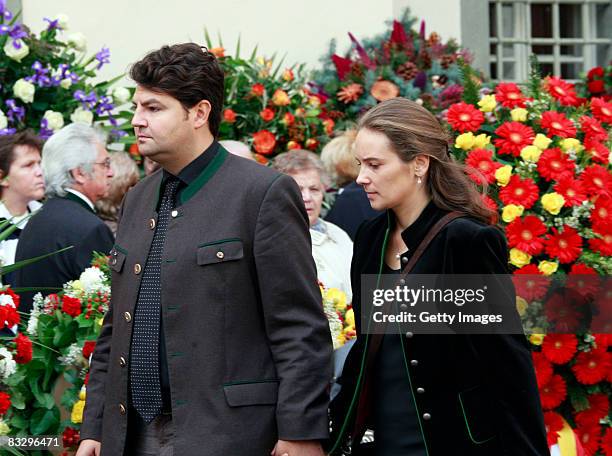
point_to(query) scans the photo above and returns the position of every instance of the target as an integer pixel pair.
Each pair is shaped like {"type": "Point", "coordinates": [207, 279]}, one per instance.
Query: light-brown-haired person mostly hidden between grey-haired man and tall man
{"type": "Point", "coordinates": [125, 176]}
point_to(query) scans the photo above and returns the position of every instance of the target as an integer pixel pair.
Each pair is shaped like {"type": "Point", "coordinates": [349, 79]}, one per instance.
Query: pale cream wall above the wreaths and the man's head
{"type": "Point", "coordinates": [302, 29]}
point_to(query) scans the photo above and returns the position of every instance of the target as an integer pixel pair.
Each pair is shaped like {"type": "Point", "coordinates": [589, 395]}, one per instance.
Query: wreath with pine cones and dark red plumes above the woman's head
{"type": "Point", "coordinates": [400, 62]}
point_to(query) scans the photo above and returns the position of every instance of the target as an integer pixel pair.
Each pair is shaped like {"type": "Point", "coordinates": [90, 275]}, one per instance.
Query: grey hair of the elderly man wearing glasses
{"type": "Point", "coordinates": [74, 146]}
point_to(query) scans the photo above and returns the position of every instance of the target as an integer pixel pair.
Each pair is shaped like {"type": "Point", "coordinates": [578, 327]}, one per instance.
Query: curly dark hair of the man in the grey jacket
{"type": "Point", "coordinates": [187, 72]}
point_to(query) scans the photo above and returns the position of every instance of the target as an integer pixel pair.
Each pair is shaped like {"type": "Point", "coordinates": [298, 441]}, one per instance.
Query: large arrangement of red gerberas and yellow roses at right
{"type": "Point", "coordinates": [544, 154]}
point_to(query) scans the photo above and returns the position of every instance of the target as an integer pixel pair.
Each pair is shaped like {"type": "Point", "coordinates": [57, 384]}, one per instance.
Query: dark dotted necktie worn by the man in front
{"type": "Point", "coordinates": [144, 371]}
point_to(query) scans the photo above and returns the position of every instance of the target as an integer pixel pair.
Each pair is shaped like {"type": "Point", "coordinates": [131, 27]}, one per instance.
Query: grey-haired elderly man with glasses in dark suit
{"type": "Point", "coordinates": [77, 172]}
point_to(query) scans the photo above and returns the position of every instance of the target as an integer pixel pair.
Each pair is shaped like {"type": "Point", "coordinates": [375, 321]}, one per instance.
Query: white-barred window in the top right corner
{"type": "Point", "coordinates": [568, 36]}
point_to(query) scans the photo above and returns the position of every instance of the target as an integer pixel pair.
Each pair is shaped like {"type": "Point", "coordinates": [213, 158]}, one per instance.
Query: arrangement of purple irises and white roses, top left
{"type": "Point", "coordinates": [47, 80]}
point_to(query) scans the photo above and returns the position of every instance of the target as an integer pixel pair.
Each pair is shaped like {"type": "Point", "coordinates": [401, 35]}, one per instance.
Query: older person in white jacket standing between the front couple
{"type": "Point", "coordinates": [332, 248]}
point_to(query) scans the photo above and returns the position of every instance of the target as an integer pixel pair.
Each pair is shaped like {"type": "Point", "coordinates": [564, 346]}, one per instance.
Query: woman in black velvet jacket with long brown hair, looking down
{"type": "Point", "coordinates": [433, 395]}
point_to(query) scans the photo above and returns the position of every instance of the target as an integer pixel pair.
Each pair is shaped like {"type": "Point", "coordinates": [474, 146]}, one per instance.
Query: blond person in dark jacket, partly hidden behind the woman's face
{"type": "Point", "coordinates": [351, 206]}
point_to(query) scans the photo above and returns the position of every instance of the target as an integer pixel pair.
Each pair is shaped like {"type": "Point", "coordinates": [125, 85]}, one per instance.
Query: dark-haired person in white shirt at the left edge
{"type": "Point", "coordinates": [21, 187]}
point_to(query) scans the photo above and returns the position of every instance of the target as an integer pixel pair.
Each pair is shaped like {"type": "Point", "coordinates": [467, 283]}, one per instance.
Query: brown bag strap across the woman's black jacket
{"type": "Point", "coordinates": [376, 339]}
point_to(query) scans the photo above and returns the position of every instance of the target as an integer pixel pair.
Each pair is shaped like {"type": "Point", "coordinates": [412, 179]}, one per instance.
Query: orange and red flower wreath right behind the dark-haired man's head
{"type": "Point", "coordinates": [270, 110]}
